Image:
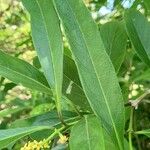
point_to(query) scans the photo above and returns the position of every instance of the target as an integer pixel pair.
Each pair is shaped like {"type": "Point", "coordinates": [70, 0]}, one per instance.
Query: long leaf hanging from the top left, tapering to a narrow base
{"type": "Point", "coordinates": [47, 40]}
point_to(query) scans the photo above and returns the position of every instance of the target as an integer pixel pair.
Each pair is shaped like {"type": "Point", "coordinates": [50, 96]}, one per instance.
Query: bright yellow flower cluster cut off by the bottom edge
{"type": "Point", "coordinates": [35, 145]}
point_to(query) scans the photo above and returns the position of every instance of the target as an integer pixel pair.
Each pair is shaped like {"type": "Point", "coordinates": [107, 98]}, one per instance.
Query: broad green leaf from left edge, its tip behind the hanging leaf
{"type": "Point", "coordinates": [22, 72]}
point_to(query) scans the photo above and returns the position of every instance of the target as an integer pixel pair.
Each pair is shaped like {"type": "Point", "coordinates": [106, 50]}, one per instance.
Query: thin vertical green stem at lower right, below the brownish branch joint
{"type": "Point", "coordinates": [130, 130]}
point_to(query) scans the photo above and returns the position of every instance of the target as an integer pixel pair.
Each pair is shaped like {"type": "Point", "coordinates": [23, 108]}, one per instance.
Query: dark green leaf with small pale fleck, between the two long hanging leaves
{"type": "Point", "coordinates": [71, 85]}
